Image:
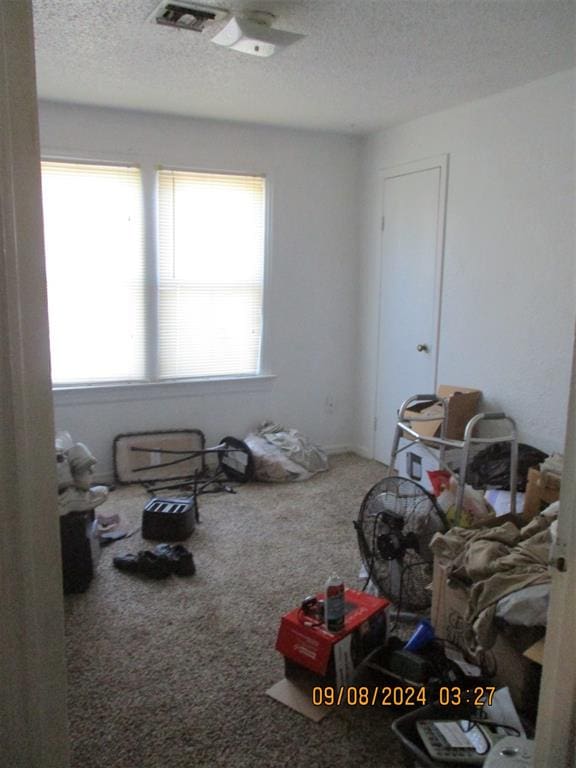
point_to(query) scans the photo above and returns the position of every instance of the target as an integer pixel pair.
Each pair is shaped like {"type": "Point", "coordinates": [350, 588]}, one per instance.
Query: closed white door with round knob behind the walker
{"type": "Point", "coordinates": [411, 271]}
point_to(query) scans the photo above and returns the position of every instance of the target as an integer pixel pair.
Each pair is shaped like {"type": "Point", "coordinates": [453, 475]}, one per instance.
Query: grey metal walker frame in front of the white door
{"type": "Point", "coordinates": [403, 427]}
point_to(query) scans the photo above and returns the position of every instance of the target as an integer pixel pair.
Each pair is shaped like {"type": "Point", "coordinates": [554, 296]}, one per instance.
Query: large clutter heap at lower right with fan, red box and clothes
{"type": "Point", "coordinates": [475, 655]}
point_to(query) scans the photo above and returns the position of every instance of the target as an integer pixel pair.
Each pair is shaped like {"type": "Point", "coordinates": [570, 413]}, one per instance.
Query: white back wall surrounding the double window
{"type": "Point", "coordinates": [311, 272]}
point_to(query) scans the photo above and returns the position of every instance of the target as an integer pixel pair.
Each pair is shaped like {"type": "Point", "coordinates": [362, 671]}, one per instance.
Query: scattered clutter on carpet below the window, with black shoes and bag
{"type": "Point", "coordinates": [173, 460]}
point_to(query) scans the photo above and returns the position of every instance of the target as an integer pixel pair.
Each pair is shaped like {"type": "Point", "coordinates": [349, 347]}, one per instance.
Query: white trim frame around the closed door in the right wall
{"type": "Point", "coordinates": [441, 162]}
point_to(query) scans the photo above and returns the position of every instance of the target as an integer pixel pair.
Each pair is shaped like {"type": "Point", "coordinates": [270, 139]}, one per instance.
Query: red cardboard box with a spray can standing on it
{"type": "Point", "coordinates": [335, 655]}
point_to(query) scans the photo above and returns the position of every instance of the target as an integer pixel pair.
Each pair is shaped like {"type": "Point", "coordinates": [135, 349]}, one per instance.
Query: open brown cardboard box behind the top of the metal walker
{"type": "Point", "coordinates": [462, 404]}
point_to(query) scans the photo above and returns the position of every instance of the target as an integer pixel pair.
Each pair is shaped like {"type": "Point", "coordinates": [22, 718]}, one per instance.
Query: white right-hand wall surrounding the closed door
{"type": "Point", "coordinates": [509, 296]}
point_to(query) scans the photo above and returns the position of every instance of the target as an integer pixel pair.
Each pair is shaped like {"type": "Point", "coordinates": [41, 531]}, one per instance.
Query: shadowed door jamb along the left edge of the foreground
{"type": "Point", "coordinates": [33, 706]}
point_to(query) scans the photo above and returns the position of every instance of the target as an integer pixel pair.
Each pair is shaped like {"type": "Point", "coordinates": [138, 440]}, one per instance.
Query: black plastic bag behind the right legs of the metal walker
{"type": "Point", "coordinates": [491, 467]}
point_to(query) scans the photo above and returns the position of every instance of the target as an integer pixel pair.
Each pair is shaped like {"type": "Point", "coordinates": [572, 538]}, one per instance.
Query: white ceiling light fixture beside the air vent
{"type": "Point", "coordinates": [254, 34]}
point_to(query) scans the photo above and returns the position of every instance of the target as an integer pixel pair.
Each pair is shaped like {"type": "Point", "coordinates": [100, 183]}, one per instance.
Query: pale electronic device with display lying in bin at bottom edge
{"type": "Point", "coordinates": [460, 741]}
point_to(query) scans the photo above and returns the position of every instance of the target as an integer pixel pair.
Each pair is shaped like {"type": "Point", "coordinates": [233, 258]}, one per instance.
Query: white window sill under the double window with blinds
{"type": "Point", "coordinates": [116, 393]}
